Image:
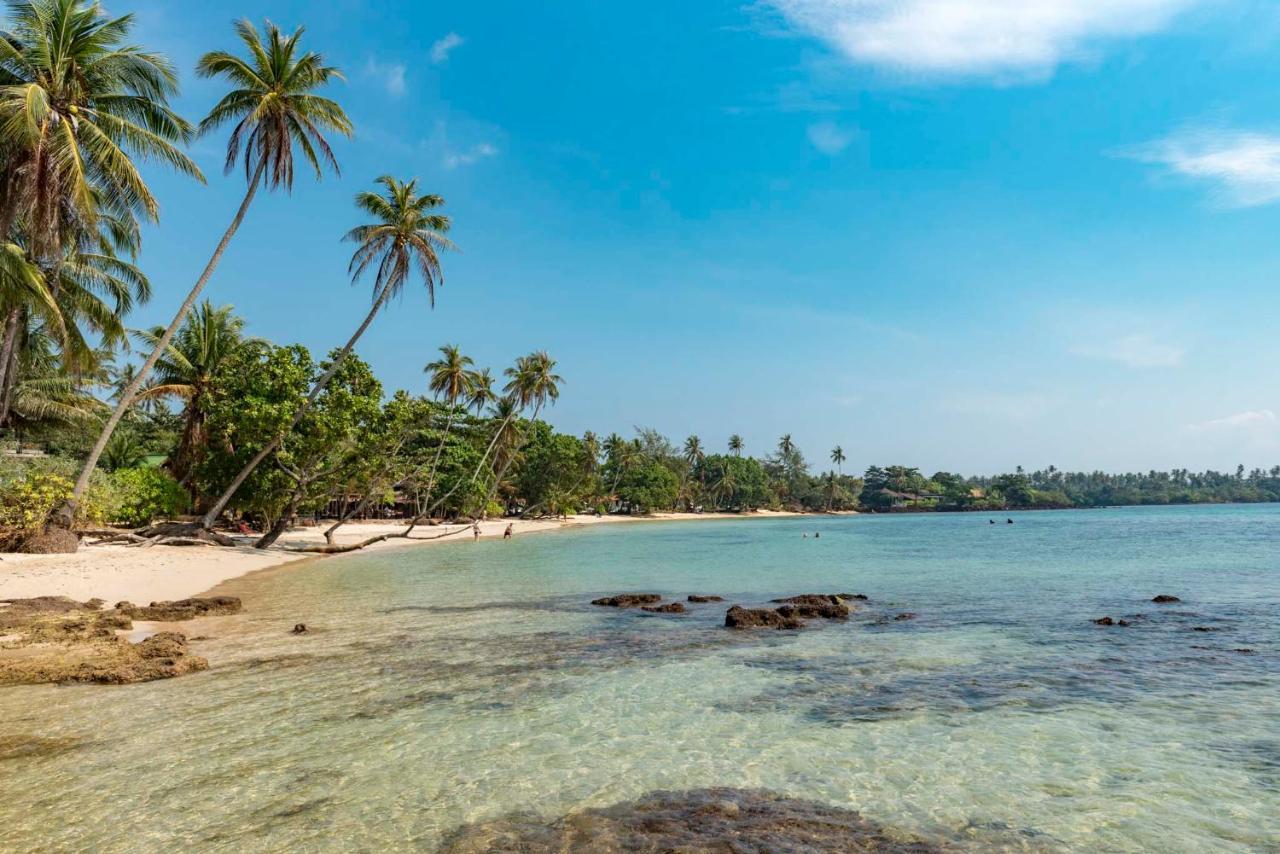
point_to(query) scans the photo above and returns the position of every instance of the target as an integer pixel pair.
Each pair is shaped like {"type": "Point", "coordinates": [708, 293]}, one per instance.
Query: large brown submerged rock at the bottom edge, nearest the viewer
{"type": "Point", "coordinates": [724, 821]}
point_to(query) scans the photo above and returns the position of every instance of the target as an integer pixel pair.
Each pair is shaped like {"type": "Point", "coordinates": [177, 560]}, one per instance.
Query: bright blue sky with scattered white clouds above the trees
{"type": "Point", "coordinates": [957, 235]}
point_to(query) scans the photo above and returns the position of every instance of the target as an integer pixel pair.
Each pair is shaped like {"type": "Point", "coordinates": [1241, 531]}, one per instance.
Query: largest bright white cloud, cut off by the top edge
{"type": "Point", "coordinates": [973, 38]}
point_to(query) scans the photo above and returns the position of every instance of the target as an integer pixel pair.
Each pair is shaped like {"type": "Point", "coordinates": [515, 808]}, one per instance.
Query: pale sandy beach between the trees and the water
{"type": "Point", "coordinates": [159, 573]}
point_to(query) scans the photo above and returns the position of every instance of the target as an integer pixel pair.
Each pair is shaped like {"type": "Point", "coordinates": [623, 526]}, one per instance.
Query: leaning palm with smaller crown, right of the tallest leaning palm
{"type": "Point", "coordinates": [408, 235]}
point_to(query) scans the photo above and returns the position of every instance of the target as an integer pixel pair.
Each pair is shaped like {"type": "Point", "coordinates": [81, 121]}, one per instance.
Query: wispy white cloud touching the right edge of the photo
{"type": "Point", "coordinates": [1241, 167]}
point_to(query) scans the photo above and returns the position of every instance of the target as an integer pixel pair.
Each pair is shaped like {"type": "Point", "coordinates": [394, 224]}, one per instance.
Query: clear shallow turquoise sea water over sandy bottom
{"type": "Point", "coordinates": [459, 684]}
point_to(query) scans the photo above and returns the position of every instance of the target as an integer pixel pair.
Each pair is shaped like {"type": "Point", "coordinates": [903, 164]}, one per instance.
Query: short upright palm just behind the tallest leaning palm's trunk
{"type": "Point", "coordinates": [186, 372]}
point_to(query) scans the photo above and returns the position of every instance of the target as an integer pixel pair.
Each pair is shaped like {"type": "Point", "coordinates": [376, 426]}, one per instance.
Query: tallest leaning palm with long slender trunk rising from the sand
{"type": "Point", "coordinates": [275, 108]}
